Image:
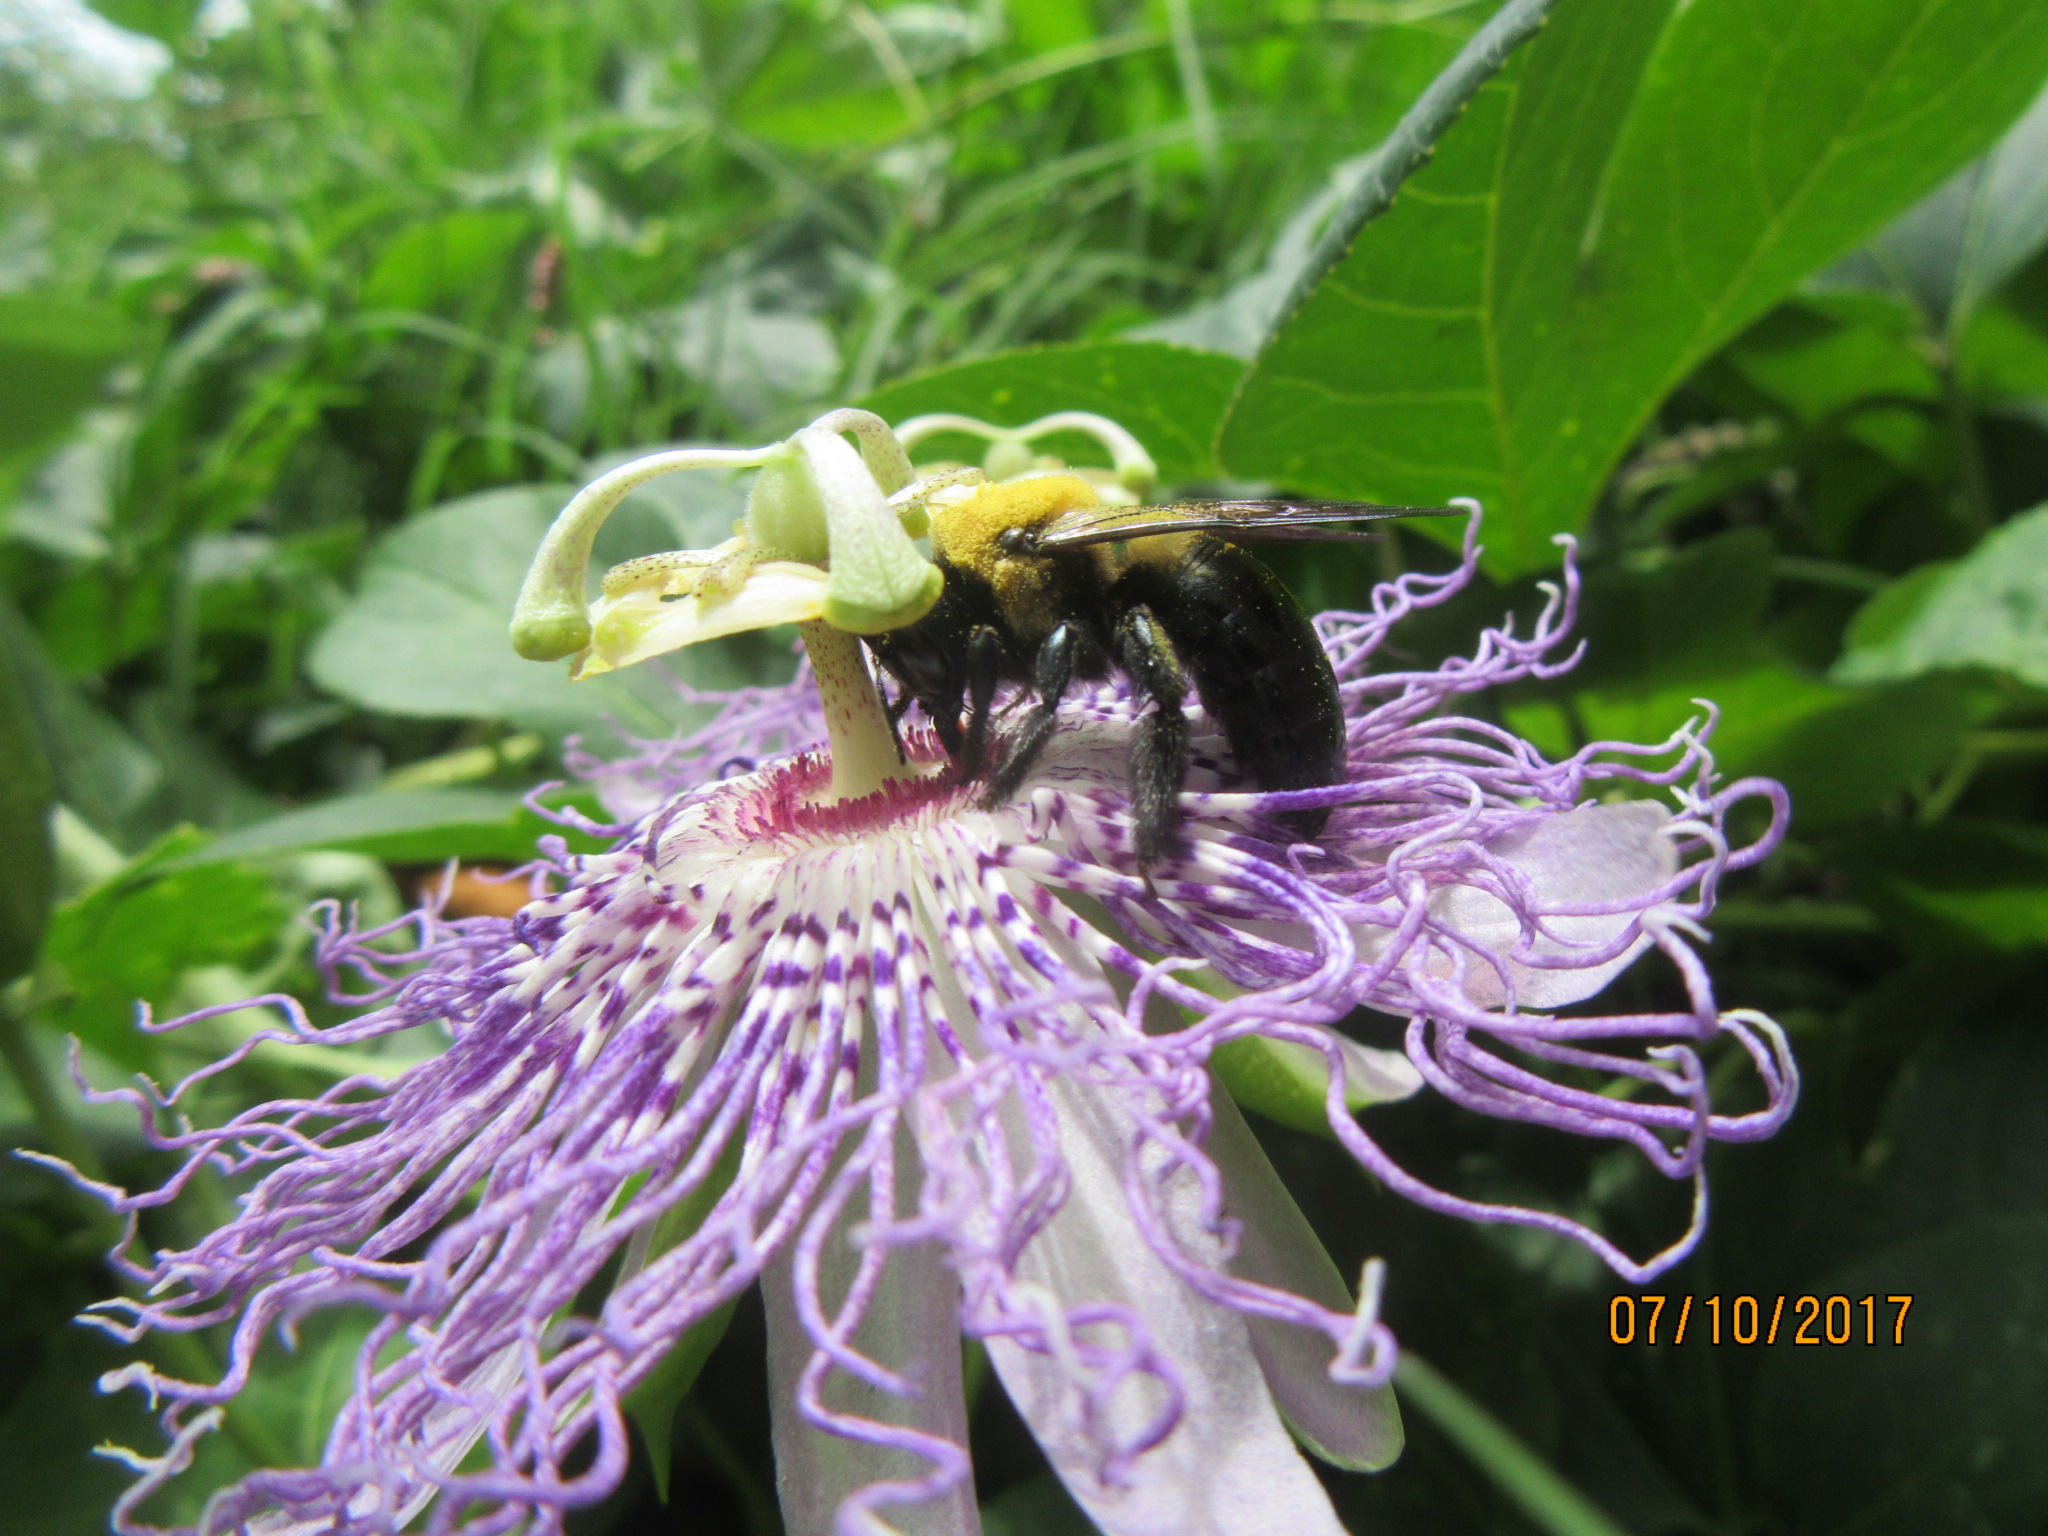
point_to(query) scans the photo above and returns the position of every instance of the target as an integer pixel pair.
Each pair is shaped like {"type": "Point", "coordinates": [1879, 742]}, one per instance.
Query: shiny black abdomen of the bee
{"type": "Point", "coordinates": [1256, 665]}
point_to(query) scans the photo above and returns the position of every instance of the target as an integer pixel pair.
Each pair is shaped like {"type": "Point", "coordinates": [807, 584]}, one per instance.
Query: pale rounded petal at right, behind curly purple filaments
{"type": "Point", "coordinates": [1596, 853]}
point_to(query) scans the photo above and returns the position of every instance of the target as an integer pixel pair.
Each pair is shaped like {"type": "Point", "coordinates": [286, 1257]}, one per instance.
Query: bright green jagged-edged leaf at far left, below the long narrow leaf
{"type": "Point", "coordinates": [134, 937]}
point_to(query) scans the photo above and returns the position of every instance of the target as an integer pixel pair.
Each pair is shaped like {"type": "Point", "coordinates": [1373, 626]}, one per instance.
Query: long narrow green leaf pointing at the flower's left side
{"type": "Point", "coordinates": [415, 826]}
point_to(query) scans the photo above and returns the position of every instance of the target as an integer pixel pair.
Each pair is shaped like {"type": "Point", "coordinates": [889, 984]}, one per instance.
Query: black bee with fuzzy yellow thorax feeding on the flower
{"type": "Point", "coordinates": [1048, 585]}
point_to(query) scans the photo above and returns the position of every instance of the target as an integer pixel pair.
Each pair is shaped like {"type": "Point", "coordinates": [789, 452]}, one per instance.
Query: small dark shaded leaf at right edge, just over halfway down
{"type": "Point", "coordinates": [1969, 886]}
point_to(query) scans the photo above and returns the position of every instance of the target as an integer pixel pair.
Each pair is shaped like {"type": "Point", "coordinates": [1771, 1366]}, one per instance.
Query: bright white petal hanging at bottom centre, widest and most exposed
{"type": "Point", "coordinates": [1230, 1467]}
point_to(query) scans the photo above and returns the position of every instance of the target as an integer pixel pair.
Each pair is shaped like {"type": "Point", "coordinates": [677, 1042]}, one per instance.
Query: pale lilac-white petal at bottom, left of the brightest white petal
{"type": "Point", "coordinates": [912, 1328]}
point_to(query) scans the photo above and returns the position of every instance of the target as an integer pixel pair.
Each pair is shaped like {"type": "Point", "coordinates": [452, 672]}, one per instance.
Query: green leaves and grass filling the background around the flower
{"type": "Point", "coordinates": [308, 316]}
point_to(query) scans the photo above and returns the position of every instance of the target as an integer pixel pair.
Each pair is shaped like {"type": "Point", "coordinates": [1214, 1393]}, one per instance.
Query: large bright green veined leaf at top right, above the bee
{"type": "Point", "coordinates": [1639, 185]}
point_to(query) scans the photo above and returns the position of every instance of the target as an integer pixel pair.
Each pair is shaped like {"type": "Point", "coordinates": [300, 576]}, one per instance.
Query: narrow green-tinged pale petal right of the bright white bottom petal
{"type": "Point", "coordinates": [1279, 1248]}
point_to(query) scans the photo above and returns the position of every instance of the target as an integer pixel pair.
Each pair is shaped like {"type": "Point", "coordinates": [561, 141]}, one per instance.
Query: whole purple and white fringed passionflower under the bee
{"type": "Point", "coordinates": [929, 1066]}
